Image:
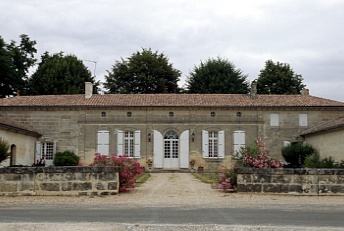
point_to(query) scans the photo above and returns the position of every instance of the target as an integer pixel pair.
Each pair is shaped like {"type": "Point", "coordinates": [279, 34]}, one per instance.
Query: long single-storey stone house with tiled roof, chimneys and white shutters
{"type": "Point", "coordinates": [170, 129]}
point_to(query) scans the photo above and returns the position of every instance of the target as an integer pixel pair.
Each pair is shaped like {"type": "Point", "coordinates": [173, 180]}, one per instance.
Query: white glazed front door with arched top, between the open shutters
{"type": "Point", "coordinates": [171, 150]}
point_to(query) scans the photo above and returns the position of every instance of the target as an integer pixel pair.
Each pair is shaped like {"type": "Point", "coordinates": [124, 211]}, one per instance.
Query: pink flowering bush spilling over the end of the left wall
{"type": "Point", "coordinates": [129, 168]}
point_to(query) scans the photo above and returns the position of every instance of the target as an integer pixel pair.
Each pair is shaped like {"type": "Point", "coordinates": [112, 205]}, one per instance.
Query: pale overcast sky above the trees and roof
{"type": "Point", "coordinates": [307, 34]}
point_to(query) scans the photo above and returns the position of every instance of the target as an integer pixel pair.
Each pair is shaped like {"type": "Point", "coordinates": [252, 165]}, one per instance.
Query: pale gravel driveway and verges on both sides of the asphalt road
{"type": "Point", "coordinates": [166, 190]}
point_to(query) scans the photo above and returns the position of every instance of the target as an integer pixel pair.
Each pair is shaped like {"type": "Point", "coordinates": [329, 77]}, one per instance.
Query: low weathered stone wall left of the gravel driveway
{"type": "Point", "coordinates": [59, 181]}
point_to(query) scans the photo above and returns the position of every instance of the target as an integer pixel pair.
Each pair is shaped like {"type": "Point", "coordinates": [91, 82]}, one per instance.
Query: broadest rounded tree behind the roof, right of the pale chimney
{"type": "Point", "coordinates": [144, 72]}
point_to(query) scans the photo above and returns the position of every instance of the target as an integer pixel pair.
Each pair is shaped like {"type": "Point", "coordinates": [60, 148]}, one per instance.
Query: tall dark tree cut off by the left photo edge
{"type": "Point", "coordinates": [15, 62]}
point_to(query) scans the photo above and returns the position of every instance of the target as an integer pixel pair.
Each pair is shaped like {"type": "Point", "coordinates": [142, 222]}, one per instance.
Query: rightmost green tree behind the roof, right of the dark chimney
{"type": "Point", "coordinates": [279, 78]}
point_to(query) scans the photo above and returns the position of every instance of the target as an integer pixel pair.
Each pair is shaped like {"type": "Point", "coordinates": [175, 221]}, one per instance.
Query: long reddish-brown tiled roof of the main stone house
{"type": "Point", "coordinates": [171, 100]}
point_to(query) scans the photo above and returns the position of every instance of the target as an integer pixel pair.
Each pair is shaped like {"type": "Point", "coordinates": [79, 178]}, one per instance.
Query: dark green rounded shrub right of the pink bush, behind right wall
{"type": "Point", "coordinates": [296, 153]}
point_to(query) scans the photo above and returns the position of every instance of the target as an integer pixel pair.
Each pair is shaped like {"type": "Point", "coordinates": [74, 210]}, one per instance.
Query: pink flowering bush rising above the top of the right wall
{"type": "Point", "coordinates": [258, 157]}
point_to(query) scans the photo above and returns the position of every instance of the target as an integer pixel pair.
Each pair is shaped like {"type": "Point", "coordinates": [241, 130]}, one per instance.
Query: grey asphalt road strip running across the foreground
{"type": "Point", "coordinates": [156, 215]}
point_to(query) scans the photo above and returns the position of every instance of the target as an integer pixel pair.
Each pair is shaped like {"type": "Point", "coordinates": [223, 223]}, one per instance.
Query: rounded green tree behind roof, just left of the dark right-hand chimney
{"type": "Point", "coordinates": [217, 76]}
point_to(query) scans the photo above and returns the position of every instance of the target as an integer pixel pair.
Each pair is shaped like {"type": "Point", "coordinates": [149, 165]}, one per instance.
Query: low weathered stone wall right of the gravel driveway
{"type": "Point", "coordinates": [291, 181]}
